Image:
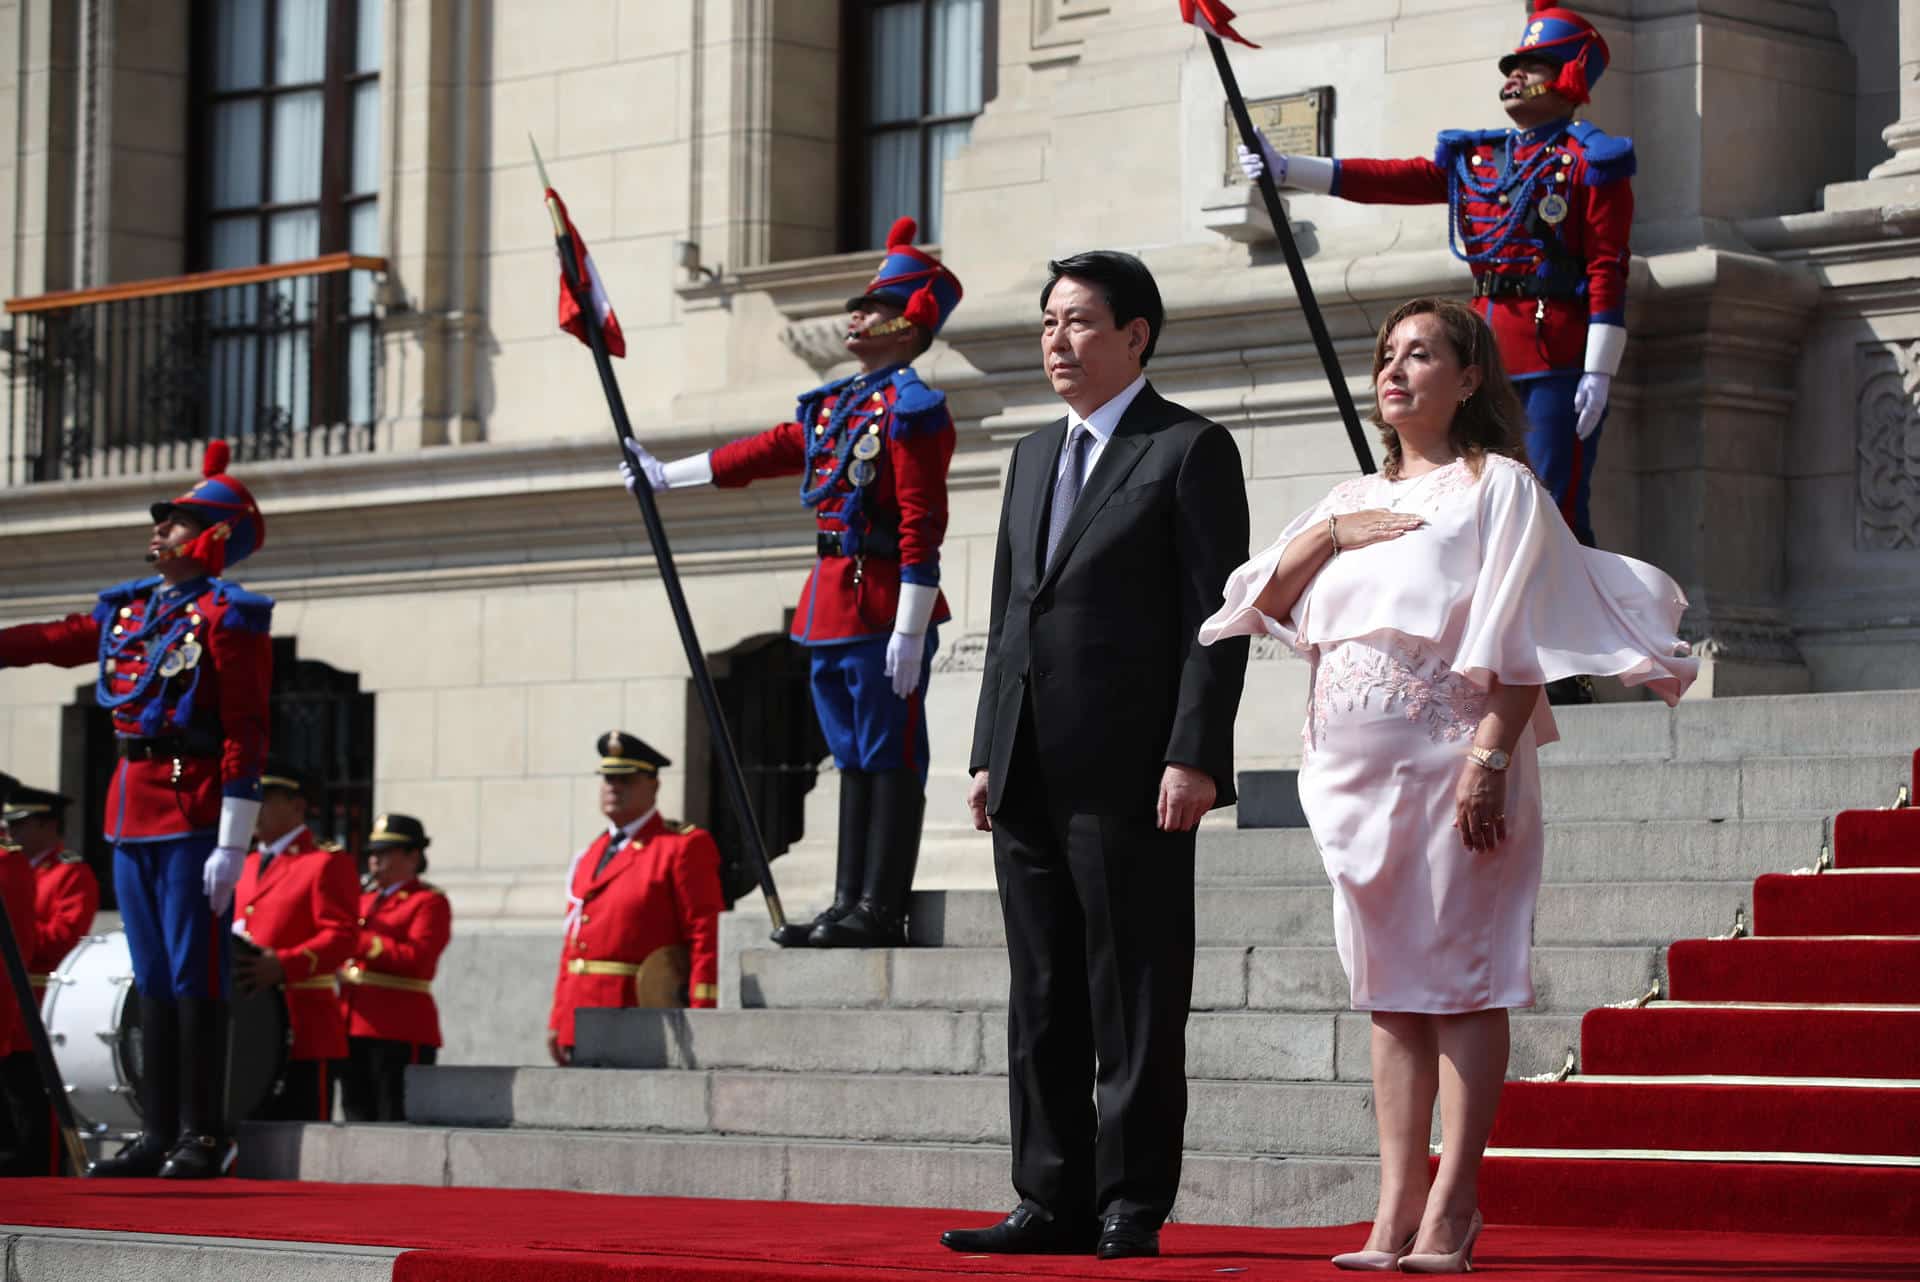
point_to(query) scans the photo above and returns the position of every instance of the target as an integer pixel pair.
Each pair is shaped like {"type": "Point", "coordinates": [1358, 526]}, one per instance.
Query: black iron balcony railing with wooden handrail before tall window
{"type": "Point", "coordinates": [283, 362]}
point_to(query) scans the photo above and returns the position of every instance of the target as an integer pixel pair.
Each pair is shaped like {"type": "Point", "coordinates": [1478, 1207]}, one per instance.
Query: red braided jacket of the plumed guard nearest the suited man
{"type": "Point", "coordinates": [846, 600]}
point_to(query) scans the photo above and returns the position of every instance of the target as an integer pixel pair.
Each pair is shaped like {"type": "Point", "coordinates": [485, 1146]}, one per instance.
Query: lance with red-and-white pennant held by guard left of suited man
{"type": "Point", "coordinates": [590, 320]}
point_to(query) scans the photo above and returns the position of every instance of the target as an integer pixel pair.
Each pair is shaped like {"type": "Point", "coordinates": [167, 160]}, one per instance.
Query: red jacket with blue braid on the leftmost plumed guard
{"type": "Point", "coordinates": [216, 701]}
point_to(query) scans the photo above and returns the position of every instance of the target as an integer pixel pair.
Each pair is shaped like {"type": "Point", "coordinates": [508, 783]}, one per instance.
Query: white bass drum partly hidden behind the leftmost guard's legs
{"type": "Point", "coordinates": [97, 1039]}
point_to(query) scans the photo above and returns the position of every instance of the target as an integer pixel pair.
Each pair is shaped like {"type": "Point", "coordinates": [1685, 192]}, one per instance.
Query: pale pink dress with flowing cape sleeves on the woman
{"type": "Point", "coordinates": [1404, 640]}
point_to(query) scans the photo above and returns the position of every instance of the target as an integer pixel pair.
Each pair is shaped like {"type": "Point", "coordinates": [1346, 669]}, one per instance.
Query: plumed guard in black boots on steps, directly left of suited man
{"type": "Point", "coordinates": [873, 454]}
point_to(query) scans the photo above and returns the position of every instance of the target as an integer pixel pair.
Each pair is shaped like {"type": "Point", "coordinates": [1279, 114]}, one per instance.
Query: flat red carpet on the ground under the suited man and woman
{"type": "Point", "coordinates": [483, 1235]}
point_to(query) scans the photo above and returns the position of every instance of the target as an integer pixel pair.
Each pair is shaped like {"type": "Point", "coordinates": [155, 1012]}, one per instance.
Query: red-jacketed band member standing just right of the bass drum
{"type": "Point", "coordinates": [295, 909]}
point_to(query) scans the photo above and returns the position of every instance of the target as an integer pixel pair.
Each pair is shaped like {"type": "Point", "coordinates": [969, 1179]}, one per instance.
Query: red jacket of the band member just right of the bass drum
{"type": "Point", "coordinates": [302, 911]}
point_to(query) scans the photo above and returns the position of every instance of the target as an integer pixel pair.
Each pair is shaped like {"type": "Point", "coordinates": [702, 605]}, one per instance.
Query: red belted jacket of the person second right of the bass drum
{"type": "Point", "coordinates": [387, 985]}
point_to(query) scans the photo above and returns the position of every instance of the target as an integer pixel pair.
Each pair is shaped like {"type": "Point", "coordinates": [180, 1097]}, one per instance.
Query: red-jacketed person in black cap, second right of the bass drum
{"type": "Point", "coordinates": [389, 985]}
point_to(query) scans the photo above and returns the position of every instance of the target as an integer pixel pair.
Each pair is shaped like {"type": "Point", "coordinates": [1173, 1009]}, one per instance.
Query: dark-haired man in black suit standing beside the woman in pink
{"type": "Point", "coordinates": [1105, 734]}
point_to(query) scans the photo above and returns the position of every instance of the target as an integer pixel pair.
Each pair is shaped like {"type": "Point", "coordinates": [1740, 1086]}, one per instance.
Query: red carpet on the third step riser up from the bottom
{"type": "Point", "coordinates": [1752, 1043]}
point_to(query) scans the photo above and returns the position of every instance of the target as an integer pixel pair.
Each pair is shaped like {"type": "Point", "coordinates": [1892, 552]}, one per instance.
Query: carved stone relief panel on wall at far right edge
{"type": "Point", "coordinates": [1888, 446]}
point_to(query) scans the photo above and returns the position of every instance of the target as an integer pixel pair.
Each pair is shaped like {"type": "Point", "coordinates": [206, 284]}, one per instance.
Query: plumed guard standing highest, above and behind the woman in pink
{"type": "Point", "coordinates": [1543, 214]}
